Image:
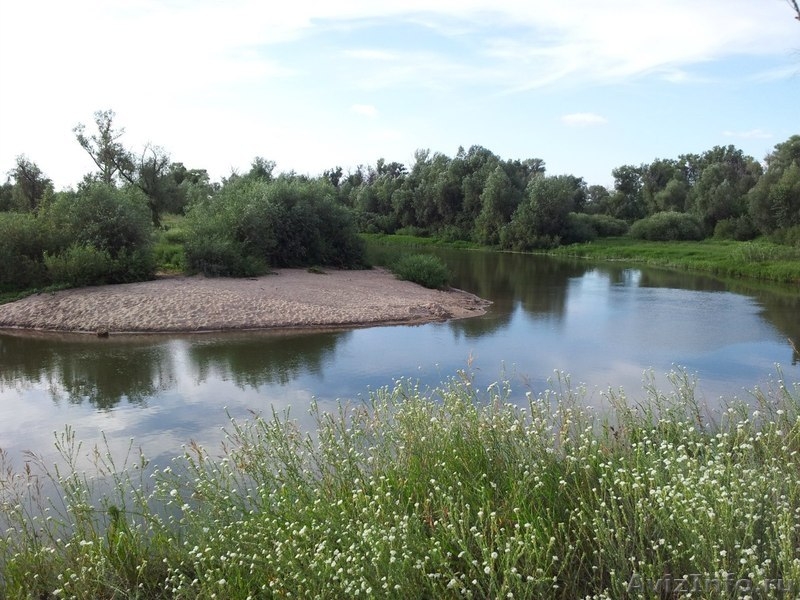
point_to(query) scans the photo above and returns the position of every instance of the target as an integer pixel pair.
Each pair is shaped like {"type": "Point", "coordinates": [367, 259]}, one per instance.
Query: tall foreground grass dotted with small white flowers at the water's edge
{"type": "Point", "coordinates": [455, 492]}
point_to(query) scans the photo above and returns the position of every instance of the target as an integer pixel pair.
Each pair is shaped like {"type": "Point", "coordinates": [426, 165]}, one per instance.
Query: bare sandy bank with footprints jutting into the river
{"type": "Point", "coordinates": [285, 299]}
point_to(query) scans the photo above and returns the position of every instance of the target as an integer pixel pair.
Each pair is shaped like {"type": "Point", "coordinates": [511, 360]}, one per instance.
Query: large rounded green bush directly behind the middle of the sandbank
{"type": "Point", "coordinates": [255, 223]}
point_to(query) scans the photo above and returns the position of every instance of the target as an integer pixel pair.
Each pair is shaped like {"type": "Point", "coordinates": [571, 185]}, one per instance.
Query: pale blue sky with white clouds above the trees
{"type": "Point", "coordinates": [586, 86]}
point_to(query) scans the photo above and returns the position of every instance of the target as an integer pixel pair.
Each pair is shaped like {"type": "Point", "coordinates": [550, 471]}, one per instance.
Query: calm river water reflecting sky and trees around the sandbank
{"type": "Point", "coordinates": [605, 325]}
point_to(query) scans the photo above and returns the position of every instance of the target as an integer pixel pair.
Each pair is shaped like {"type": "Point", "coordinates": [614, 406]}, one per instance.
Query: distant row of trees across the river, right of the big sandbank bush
{"type": "Point", "coordinates": [479, 197]}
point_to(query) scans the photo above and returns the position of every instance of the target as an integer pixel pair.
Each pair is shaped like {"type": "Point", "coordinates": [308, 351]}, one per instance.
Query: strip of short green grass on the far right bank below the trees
{"type": "Point", "coordinates": [754, 260]}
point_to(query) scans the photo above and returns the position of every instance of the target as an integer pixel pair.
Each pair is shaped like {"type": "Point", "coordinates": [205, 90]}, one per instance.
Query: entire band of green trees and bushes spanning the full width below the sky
{"type": "Point", "coordinates": [102, 231]}
